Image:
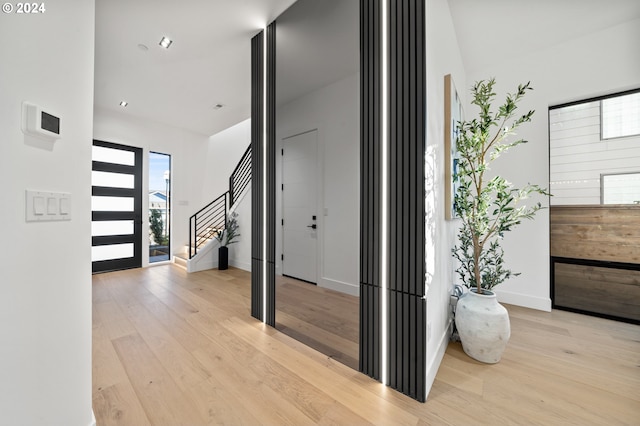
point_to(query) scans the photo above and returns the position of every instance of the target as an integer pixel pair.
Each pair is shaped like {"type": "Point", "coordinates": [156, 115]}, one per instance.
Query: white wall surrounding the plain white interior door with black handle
{"type": "Point", "coordinates": [335, 111]}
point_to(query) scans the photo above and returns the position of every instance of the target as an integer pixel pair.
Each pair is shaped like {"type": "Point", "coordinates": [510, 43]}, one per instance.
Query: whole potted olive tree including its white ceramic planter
{"type": "Point", "coordinates": [488, 206]}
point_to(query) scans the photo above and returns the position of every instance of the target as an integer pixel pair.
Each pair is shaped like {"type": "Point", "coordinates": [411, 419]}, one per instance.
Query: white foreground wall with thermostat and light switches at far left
{"type": "Point", "coordinates": [45, 279]}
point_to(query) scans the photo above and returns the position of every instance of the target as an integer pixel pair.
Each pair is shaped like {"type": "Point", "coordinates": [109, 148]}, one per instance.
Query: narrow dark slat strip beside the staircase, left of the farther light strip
{"type": "Point", "coordinates": [257, 102]}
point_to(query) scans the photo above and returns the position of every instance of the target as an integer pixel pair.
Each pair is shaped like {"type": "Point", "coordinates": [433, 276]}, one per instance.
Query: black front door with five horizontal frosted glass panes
{"type": "Point", "coordinates": [116, 207]}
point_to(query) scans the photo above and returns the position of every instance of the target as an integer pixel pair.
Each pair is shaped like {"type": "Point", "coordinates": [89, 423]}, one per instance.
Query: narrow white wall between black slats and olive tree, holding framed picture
{"type": "Point", "coordinates": [443, 57]}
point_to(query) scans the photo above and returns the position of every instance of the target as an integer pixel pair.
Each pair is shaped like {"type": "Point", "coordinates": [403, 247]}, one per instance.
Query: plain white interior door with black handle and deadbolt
{"type": "Point", "coordinates": [299, 199]}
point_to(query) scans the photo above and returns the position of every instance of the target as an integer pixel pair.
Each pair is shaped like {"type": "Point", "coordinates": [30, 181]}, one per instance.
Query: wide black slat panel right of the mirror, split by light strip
{"type": "Point", "coordinates": [406, 356]}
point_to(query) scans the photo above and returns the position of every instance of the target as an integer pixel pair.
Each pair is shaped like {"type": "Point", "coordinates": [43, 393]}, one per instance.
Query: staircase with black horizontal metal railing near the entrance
{"type": "Point", "coordinates": [205, 224]}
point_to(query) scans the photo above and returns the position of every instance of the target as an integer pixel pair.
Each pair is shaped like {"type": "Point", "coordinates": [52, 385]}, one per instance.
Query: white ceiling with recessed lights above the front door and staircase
{"type": "Point", "coordinates": [207, 64]}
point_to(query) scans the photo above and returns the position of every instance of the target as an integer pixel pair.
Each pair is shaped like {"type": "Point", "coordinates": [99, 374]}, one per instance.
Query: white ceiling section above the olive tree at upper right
{"type": "Point", "coordinates": [495, 31]}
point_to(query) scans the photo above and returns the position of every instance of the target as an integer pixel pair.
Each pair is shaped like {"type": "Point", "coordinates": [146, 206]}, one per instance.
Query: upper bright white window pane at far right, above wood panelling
{"type": "Point", "coordinates": [621, 116]}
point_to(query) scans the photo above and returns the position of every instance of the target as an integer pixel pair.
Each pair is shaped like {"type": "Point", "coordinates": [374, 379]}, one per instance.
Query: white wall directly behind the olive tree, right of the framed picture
{"type": "Point", "coordinates": [603, 62]}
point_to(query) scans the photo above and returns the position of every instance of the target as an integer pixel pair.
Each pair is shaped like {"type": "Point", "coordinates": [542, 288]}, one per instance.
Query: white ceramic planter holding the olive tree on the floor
{"type": "Point", "coordinates": [483, 326]}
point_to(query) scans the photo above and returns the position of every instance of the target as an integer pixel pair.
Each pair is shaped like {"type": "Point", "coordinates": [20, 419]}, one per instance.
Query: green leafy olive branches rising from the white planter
{"type": "Point", "coordinates": [488, 207]}
